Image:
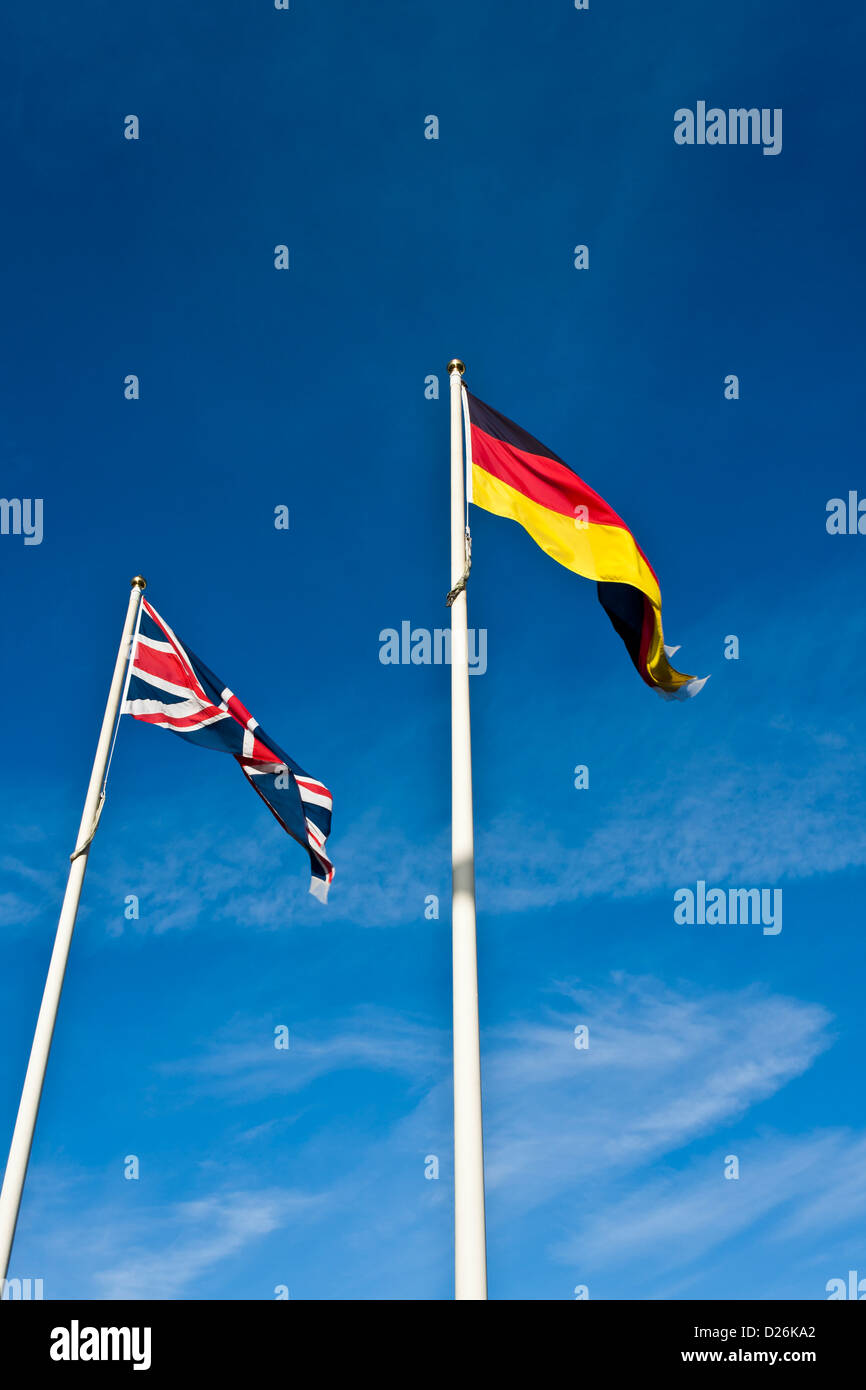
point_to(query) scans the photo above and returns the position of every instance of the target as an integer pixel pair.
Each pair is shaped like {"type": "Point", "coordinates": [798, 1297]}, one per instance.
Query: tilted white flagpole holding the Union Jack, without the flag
{"type": "Point", "coordinates": [23, 1135]}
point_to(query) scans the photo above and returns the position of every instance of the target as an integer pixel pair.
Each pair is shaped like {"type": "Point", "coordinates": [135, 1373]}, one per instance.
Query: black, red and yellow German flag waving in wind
{"type": "Point", "coordinates": [514, 476]}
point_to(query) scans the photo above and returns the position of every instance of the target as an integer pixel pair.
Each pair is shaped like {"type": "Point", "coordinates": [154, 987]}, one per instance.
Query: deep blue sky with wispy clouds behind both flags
{"type": "Point", "coordinates": [305, 1168]}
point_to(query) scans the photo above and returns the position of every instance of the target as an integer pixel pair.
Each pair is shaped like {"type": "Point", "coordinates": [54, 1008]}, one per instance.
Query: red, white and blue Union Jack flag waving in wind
{"type": "Point", "coordinates": [169, 686]}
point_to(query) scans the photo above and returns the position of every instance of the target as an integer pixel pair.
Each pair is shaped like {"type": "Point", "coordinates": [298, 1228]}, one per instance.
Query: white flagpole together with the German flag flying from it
{"type": "Point", "coordinates": [515, 476]}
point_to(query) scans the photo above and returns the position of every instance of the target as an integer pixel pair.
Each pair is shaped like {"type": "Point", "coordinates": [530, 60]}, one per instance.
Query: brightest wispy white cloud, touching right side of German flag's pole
{"type": "Point", "coordinates": [662, 1070]}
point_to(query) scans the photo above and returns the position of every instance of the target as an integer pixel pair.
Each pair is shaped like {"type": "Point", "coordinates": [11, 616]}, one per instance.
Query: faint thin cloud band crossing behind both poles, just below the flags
{"type": "Point", "coordinates": [760, 825]}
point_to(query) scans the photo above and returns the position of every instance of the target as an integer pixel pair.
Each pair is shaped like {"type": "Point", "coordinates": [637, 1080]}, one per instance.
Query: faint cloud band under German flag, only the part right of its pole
{"type": "Point", "coordinates": [751, 826]}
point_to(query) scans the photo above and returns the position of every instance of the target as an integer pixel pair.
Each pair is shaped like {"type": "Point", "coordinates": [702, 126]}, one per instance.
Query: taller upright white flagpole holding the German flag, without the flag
{"type": "Point", "coordinates": [471, 1238]}
